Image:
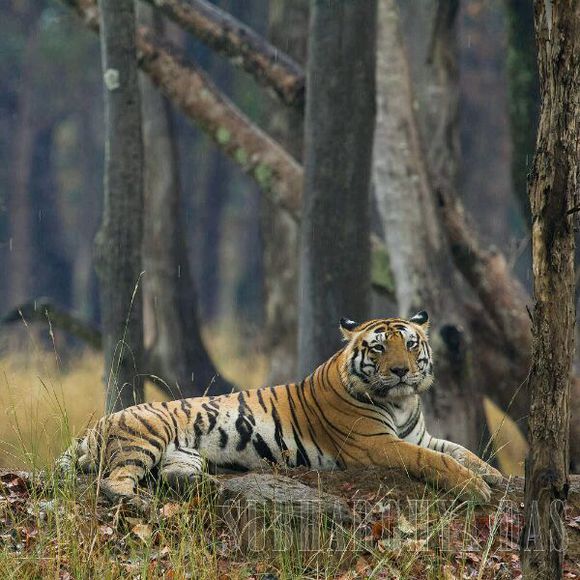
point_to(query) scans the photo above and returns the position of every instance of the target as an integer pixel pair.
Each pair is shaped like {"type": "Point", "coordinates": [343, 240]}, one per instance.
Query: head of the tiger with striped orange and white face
{"type": "Point", "coordinates": [387, 359]}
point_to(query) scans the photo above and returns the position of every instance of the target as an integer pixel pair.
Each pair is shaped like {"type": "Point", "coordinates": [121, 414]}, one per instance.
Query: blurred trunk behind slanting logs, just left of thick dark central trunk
{"type": "Point", "coordinates": [288, 30]}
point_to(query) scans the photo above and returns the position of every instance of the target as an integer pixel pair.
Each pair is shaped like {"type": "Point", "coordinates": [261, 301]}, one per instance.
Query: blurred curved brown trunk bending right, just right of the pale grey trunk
{"type": "Point", "coordinates": [486, 271]}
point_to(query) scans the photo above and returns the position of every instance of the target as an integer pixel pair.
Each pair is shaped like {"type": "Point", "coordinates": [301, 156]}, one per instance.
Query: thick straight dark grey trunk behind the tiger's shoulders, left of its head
{"type": "Point", "coordinates": [339, 125]}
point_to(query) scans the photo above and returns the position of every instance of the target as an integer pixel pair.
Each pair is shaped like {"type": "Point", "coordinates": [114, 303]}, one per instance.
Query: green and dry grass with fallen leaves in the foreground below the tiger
{"type": "Point", "coordinates": [59, 529]}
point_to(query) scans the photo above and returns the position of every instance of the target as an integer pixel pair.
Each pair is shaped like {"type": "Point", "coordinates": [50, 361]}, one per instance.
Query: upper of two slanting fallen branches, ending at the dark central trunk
{"type": "Point", "coordinates": [227, 36]}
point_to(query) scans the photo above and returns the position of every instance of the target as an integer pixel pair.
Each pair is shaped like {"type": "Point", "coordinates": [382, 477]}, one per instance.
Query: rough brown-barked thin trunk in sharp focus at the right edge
{"type": "Point", "coordinates": [554, 201]}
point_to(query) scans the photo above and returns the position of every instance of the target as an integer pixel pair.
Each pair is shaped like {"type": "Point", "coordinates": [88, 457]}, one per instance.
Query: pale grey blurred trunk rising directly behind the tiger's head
{"type": "Point", "coordinates": [418, 250]}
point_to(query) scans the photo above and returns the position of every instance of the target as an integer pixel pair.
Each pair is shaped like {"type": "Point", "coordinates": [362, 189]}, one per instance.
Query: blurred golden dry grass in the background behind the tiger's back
{"type": "Point", "coordinates": [43, 402]}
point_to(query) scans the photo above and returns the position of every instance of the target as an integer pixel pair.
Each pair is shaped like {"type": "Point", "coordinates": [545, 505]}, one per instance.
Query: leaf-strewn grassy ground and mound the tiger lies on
{"type": "Point", "coordinates": [383, 525]}
